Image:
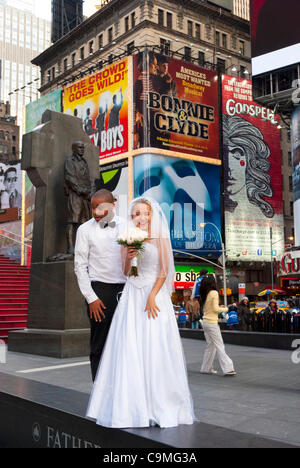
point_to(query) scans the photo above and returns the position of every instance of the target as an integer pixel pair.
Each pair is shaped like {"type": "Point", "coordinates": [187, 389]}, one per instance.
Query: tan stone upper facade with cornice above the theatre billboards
{"type": "Point", "coordinates": [200, 32]}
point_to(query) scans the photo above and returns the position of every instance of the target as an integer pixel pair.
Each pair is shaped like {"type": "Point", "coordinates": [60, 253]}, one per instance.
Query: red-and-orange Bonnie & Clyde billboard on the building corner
{"type": "Point", "coordinates": [175, 106]}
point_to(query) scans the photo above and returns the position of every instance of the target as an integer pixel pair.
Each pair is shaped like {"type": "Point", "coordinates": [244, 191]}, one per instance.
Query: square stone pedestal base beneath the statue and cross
{"type": "Point", "coordinates": [58, 325]}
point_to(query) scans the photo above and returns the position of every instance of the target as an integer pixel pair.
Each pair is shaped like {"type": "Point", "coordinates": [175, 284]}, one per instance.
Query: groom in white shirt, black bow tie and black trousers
{"type": "Point", "coordinates": [98, 267]}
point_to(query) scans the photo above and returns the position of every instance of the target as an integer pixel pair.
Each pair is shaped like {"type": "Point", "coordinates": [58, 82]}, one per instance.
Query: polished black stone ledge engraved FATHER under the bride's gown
{"type": "Point", "coordinates": [38, 415]}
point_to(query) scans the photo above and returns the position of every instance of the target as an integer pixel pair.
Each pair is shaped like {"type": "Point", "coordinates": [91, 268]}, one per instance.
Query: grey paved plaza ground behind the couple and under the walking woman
{"type": "Point", "coordinates": [264, 398]}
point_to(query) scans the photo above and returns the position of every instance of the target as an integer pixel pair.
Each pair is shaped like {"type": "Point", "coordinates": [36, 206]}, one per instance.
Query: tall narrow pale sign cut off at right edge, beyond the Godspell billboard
{"type": "Point", "coordinates": [296, 170]}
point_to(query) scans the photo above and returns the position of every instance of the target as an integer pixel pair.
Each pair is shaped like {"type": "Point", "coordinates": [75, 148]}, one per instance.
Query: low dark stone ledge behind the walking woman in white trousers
{"type": "Point", "coordinates": [258, 340]}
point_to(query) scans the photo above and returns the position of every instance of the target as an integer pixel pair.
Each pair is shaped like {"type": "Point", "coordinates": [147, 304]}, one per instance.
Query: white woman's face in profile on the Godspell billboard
{"type": "Point", "coordinates": [237, 165]}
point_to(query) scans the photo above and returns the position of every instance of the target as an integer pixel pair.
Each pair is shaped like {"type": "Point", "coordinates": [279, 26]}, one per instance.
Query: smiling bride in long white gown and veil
{"type": "Point", "coordinates": [142, 378]}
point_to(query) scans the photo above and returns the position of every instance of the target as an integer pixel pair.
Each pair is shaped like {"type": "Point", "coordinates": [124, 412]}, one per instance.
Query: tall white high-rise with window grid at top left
{"type": "Point", "coordinates": [22, 37]}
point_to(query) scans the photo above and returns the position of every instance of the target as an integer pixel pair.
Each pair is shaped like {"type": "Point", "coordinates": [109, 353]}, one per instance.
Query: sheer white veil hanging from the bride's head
{"type": "Point", "coordinates": [160, 236]}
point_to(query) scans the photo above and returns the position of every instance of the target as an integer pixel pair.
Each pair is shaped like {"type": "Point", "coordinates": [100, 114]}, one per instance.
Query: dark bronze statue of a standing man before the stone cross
{"type": "Point", "coordinates": [78, 190]}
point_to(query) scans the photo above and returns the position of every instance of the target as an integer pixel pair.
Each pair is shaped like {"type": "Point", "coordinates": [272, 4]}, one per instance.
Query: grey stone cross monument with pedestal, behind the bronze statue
{"type": "Point", "coordinates": [58, 325]}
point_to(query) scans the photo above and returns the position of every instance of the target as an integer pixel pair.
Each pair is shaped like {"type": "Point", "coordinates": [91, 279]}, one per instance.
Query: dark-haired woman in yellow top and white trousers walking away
{"type": "Point", "coordinates": [210, 299]}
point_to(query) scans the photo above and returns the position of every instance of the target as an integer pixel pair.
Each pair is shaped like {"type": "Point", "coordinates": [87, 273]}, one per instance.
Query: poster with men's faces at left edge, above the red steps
{"type": "Point", "coordinates": [10, 191]}
